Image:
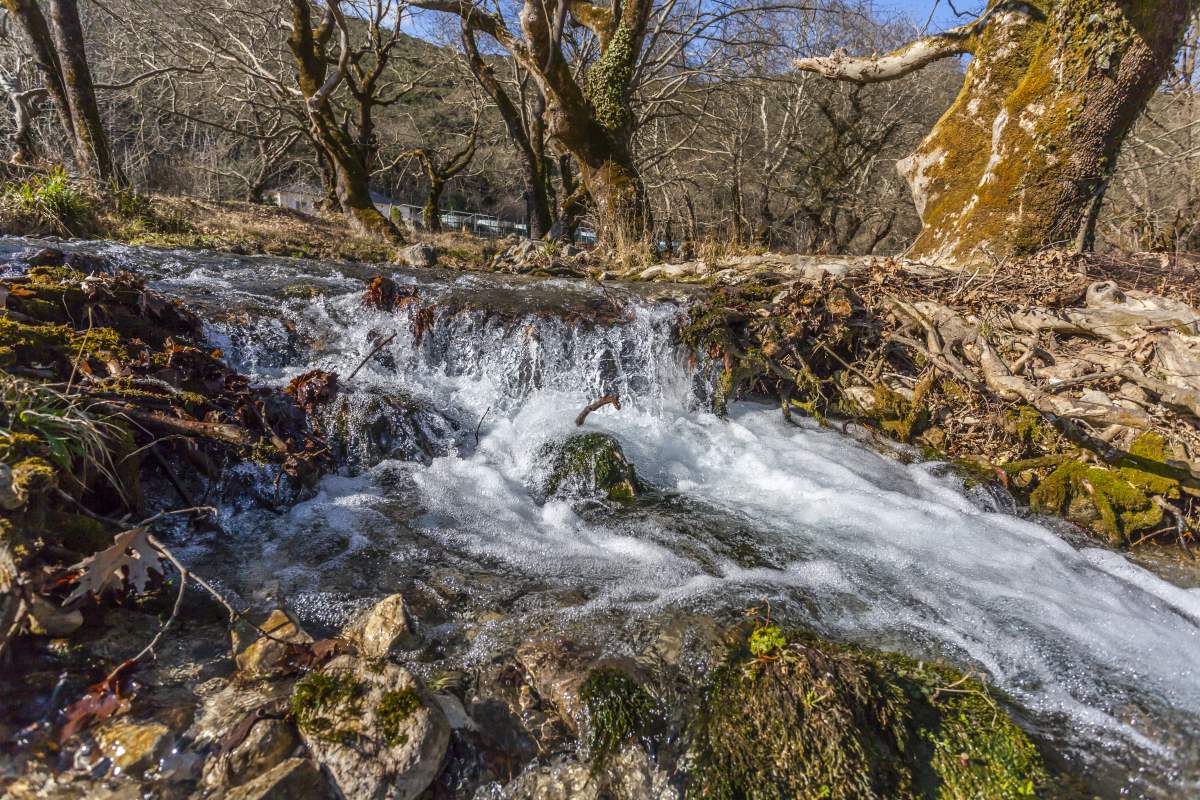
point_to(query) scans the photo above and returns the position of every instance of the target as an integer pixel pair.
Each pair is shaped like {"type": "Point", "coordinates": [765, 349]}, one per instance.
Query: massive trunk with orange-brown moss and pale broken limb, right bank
{"type": "Point", "coordinates": [1022, 159]}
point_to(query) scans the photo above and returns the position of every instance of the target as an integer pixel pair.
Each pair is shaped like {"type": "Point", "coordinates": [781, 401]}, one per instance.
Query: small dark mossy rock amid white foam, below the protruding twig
{"type": "Point", "coordinates": [590, 464]}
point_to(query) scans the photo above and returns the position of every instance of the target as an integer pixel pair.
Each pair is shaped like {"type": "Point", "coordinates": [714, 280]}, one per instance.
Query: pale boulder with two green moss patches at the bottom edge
{"type": "Point", "coordinates": [373, 727]}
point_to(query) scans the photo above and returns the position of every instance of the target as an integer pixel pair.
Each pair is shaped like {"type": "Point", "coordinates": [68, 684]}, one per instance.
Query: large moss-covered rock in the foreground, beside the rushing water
{"type": "Point", "coordinates": [806, 719]}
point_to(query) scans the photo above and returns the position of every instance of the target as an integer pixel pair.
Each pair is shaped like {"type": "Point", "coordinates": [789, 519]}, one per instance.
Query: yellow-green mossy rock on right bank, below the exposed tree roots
{"type": "Point", "coordinates": [1097, 498]}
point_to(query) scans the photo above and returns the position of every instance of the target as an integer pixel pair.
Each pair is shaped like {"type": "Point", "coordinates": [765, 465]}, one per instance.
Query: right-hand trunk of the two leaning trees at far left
{"type": "Point", "coordinates": [93, 154]}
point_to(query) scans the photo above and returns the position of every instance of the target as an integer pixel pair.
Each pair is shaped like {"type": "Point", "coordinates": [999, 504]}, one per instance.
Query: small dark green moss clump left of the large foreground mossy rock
{"type": "Point", "coordinates": [617, 711]}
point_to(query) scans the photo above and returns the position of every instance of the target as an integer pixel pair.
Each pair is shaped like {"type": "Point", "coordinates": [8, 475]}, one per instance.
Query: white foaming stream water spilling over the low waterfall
{"type": "Point", "coordinates": [443, 437]}
